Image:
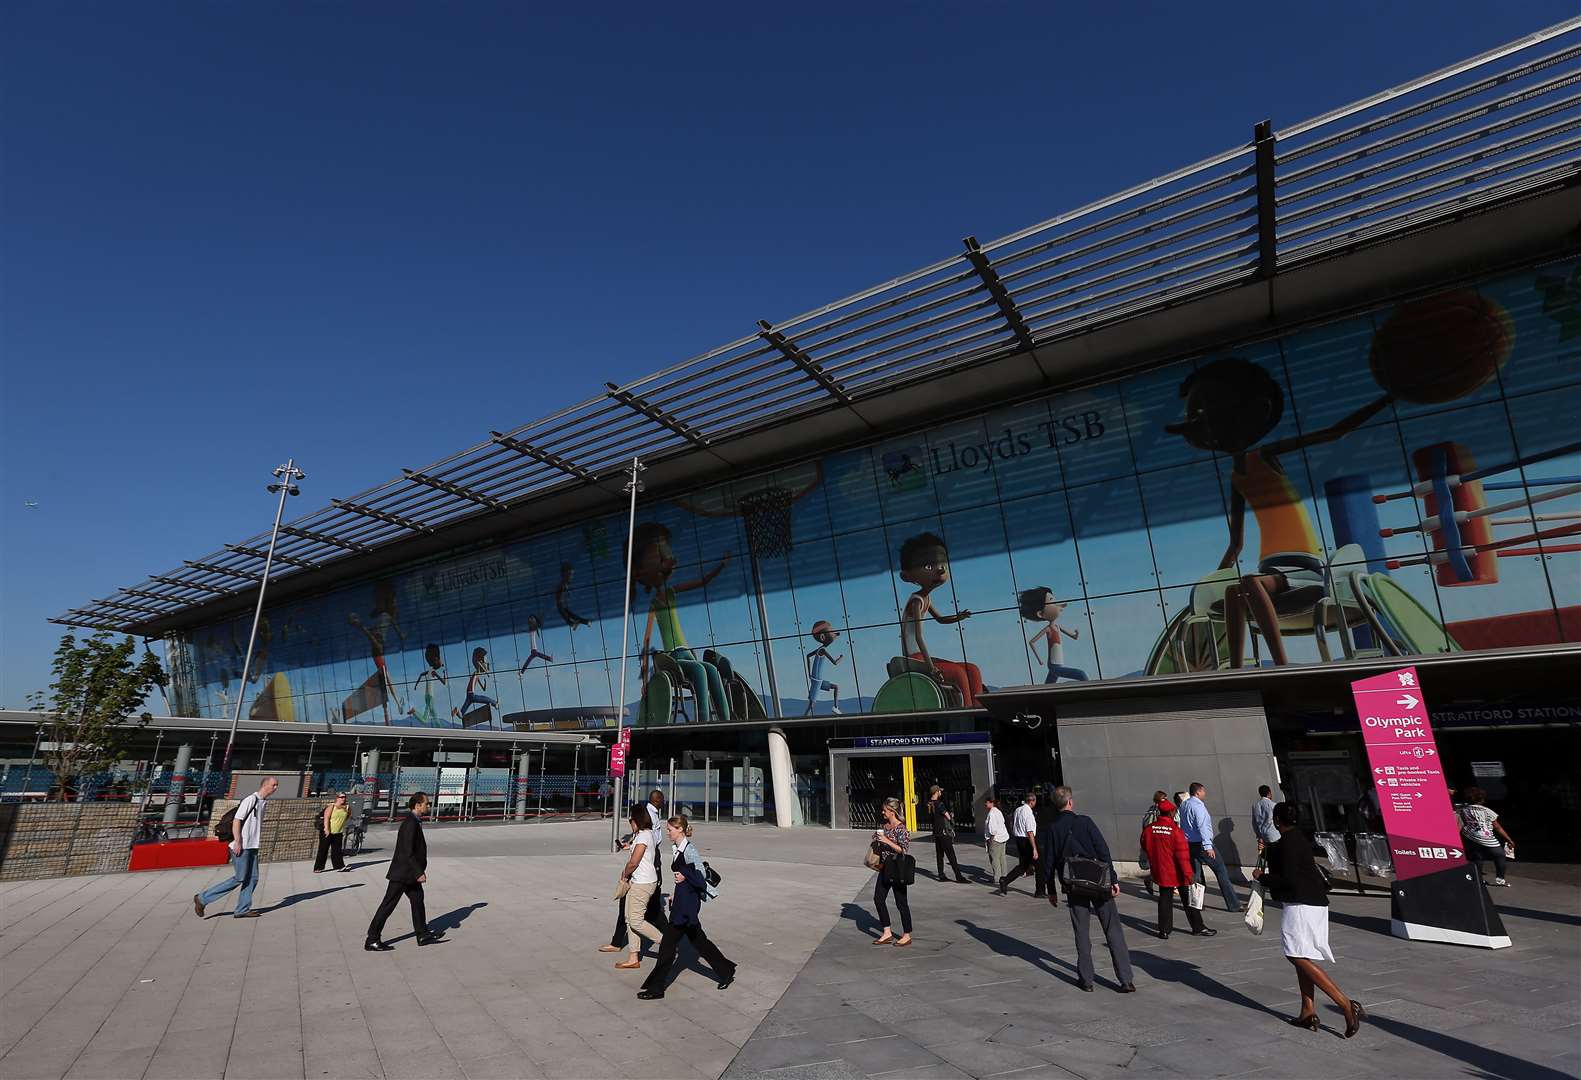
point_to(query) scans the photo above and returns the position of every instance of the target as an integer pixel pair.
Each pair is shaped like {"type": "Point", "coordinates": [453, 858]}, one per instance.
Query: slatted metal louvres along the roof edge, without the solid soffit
{"type": "Point", "coordinates": [1498, 127]}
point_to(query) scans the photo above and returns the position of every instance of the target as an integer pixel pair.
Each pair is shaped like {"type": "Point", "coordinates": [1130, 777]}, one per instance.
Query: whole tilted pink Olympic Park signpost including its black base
{"type": "Point", "coordinates": [1438, 896]}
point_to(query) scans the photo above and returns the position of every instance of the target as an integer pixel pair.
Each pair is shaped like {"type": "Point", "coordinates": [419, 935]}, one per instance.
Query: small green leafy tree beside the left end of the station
{"type": "Point", "coordinates": [99, 687]}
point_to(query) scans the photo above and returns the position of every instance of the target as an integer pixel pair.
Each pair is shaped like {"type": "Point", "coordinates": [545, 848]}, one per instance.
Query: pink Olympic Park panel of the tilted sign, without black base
{"type": "Point", "coordinates": [1424, 834]}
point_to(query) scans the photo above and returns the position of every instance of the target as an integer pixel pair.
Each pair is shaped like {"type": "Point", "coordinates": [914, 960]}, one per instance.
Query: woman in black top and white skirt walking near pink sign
{"type": "Point", "coordinates": [1292, 878]}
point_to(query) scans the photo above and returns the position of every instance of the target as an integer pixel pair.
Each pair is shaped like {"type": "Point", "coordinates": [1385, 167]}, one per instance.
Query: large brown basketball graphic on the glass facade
{"type": "Point", "coordinates": [1441, 349]}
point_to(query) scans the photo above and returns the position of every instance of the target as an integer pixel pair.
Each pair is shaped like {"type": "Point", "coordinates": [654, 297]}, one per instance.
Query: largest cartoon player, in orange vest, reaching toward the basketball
{"type": "Point", "coordinates": [1232, 404]}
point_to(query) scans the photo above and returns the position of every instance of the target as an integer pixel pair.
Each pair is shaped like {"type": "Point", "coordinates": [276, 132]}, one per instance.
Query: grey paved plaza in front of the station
{"type": "Point", "coordinates": [115, 976]}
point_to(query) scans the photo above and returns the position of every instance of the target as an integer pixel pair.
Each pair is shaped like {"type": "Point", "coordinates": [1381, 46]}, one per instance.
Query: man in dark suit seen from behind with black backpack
{"type": "Point", "coordinates": [1081, 861]}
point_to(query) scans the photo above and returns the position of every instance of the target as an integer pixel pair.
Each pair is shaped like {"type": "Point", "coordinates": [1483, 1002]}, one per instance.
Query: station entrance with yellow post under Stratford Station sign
{"type": "Point", "coordinates": [867, 771]}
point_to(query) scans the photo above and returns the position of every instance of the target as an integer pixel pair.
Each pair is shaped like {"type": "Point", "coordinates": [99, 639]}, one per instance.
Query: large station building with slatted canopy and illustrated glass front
{"type": "Point", "coordinates": [1122, 500]}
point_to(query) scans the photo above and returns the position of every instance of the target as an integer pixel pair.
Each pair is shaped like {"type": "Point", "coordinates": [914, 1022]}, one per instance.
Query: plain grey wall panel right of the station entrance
{"type": "Point", "coordinates": [1115, 753]}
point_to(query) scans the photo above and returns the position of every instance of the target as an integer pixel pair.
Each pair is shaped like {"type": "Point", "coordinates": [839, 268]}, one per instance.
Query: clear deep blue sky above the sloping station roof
{"type": "Point", "coordinates": [368, 235]}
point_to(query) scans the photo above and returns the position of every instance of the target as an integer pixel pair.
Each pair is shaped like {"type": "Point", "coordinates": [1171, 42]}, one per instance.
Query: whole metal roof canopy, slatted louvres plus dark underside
{"type": "Point", "coordinates": [1234, 244]}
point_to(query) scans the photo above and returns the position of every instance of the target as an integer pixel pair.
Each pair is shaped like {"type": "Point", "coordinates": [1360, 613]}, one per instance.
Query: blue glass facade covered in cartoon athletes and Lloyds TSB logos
{"type": "Point", "coordinates": [1285, 502]}
